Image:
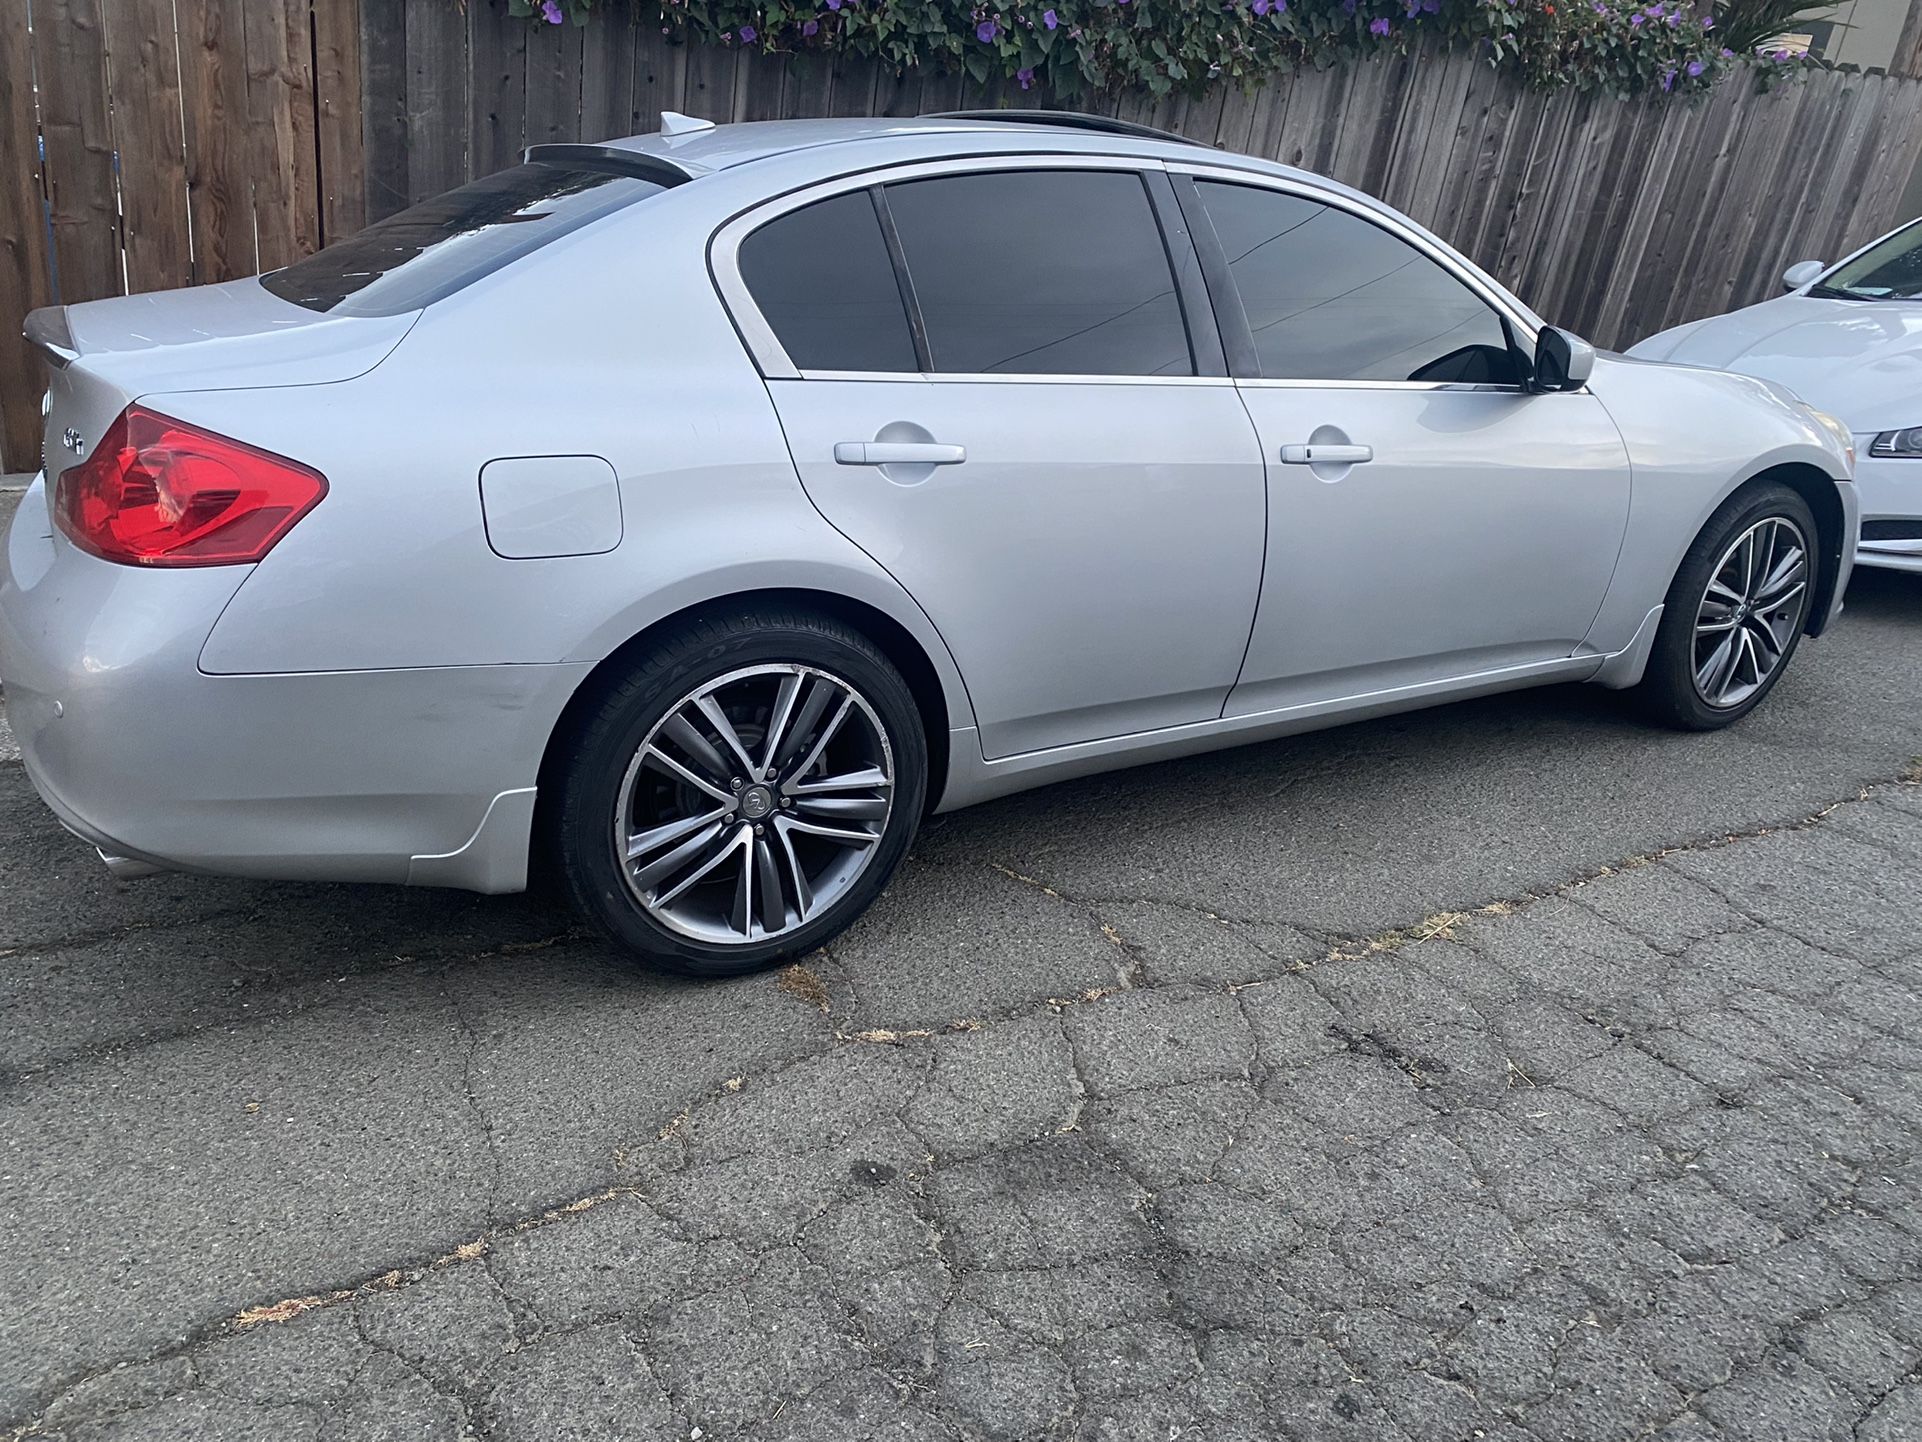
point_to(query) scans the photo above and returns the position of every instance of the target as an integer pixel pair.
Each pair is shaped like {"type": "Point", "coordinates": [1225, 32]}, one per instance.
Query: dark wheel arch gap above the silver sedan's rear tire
{"type": "Point", "coordinates": [900, 645]}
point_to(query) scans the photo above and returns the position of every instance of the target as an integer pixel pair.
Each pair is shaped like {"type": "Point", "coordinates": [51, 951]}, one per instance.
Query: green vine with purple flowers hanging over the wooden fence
{"type": "Point", "coordinates": [1079, 47]}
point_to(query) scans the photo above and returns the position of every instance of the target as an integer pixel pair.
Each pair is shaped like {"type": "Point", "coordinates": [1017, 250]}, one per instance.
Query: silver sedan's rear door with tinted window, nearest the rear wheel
{"type": "Point", "coordinates": [995, 378]}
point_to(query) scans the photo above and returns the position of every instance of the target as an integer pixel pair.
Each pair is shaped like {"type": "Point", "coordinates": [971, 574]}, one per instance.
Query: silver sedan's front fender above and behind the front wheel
{"type": "Point", "coordinates": [1694, 437]}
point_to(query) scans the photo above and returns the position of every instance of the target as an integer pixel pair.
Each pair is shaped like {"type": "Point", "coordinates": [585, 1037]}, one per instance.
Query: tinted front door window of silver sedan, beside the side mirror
{"type": "Point", "coordinates": [1337, 299]}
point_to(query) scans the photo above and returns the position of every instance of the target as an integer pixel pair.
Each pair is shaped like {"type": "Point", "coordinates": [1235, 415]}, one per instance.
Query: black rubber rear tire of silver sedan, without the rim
{"type": "Point", "coordinates": [614, 732]}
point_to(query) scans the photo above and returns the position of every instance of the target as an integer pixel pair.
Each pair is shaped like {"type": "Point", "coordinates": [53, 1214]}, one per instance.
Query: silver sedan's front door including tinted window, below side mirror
{"type": "Point", "coordinates": [1429, 518]}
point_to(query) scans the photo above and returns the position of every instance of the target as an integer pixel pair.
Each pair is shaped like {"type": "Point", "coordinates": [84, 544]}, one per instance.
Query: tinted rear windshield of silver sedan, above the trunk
{"type": "Point", "coordinates": [443, 245]}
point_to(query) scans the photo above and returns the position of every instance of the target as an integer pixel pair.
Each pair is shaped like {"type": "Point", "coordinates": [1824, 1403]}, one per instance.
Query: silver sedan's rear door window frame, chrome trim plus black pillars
{"type": "Point", "coordinates": [772, 359]}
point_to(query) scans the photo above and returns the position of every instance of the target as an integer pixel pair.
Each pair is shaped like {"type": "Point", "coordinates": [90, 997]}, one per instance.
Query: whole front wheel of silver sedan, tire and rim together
{"type": "Point", "coordinates": [1737, 610]}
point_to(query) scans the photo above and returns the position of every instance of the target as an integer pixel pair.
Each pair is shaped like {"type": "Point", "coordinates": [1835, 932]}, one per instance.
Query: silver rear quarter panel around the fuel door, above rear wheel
{"type": "Point", "coordinates": [612, 345]}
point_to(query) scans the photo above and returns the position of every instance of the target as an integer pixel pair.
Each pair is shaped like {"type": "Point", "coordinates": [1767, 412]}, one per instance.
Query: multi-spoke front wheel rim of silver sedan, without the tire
{"type": "Point", "coordinates": [1750, 612]}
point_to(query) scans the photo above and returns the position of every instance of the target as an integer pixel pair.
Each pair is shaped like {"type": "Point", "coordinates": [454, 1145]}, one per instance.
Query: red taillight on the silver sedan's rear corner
{"type": "Point", "coordinates": [164, 493]}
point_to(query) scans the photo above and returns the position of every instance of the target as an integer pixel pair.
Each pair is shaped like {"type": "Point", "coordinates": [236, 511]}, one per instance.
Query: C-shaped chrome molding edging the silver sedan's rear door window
{"type": "Point", "coordinates": [724, 262]}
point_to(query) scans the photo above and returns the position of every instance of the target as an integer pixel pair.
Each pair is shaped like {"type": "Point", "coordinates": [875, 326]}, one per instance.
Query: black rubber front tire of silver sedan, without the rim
{"type": "Point", "coordinates": [1669, 691]}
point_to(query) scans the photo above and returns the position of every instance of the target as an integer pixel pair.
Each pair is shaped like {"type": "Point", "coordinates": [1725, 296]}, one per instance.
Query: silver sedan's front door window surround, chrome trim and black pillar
{"type": "Point", "coordinates": [1233, 316]}
